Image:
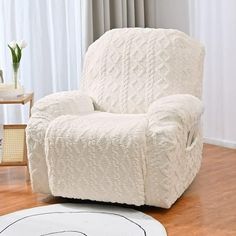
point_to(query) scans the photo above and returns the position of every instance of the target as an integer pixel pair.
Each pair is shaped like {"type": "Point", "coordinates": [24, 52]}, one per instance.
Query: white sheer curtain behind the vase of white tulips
{"type": "Point", "coordinates": [52, 61]}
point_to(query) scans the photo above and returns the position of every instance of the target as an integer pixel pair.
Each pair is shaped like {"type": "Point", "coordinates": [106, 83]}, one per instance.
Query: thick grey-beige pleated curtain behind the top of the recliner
{"type": "Point", "coordinates": [103, 15]}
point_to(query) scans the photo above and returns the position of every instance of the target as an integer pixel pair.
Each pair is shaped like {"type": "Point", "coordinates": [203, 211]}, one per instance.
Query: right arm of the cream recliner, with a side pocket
{"type": "Point", "coordinates": [174, 147]}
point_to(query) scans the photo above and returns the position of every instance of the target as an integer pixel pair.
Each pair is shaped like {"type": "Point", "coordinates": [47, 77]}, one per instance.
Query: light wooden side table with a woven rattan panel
{"type": "Point", "coordinates": [14, 140]}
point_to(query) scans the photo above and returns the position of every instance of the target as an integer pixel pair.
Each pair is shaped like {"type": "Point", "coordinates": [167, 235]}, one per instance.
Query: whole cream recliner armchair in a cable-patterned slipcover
{"type": "Point", "coordinates": [132, 133]}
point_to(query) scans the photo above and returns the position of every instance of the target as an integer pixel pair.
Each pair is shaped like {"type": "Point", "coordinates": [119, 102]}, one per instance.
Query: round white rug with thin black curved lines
{"type": "Point", "coordinates": [79, 219]}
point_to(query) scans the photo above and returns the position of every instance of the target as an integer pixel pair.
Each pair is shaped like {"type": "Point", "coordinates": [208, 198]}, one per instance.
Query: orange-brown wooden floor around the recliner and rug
{"type": "Point", "coordinates": [208, 207]}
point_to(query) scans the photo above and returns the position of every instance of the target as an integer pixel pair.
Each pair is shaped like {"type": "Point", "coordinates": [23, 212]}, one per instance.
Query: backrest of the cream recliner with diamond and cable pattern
{"type": "Point", "coordinates": [127, 69]}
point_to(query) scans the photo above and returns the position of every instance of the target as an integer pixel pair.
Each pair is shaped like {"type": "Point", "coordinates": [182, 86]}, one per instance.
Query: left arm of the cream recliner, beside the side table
{"type": "Point", "coordinates": [43, 112]}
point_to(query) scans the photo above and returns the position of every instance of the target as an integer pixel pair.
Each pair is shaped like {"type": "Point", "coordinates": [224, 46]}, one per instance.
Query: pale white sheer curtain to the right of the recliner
{"type": "Point", "coordinates": [213, 22]}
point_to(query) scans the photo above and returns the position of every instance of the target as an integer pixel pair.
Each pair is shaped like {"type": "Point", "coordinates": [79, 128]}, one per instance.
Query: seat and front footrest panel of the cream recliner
{"type": "Point", "coordinates": [98, 156]}
